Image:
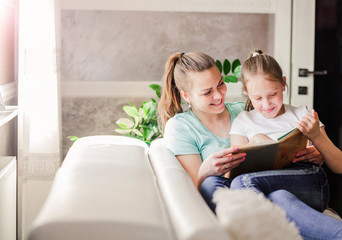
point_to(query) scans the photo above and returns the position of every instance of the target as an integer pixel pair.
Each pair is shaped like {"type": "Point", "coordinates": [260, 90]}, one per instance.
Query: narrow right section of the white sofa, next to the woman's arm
{"type": "Point", "coordinates": [190, 215]}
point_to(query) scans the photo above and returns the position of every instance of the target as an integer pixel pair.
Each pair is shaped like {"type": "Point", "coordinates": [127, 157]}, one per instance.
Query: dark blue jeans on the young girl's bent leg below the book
{"type": "Point", "coordinates": [307, 181]}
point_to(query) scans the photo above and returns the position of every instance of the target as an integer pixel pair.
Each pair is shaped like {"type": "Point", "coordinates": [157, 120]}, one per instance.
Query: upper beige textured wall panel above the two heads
{"type": "Point", "coordinates": [133, 46]}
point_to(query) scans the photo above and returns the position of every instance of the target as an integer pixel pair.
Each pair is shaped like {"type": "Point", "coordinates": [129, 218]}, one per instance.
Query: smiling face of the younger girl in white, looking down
{"type": "Point", "coordinates": [266, 95]}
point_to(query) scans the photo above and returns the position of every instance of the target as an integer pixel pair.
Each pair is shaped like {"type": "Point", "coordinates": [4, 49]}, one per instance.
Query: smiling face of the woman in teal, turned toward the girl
{"type": "Point", "coordinates": [207, 93]}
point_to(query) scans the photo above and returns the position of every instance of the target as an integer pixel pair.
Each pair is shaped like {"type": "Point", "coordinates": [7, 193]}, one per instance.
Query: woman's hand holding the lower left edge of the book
{"type": "Point", "coordinates": [221, 162]}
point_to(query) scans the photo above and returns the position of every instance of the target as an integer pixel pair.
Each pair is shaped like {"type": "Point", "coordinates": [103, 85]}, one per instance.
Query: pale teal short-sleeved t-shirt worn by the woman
{"type": "Point", "coordinates": [184, 134]}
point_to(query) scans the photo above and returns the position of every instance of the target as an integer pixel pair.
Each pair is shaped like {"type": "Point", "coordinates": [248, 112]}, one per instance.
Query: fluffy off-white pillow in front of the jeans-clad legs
{"type": "Point", "coordinates": [246, 215]}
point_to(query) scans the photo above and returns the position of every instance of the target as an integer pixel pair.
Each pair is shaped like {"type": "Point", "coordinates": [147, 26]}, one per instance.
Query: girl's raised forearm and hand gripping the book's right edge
{"type": "Point", "coordinates": [309, 126]}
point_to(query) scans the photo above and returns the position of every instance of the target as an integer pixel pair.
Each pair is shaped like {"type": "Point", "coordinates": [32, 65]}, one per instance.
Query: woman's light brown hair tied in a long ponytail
{"type": "Point", "coordinates": [176, 79]}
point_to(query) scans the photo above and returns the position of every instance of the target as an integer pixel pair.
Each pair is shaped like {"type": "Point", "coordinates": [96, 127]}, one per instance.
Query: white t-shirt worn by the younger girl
{"type": "Point", "coordinates": [250, 123]}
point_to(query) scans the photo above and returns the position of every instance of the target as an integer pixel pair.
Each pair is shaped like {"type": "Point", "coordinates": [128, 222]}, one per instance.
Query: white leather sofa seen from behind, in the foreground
{"type": "Point", "coordinates": [113, 187]}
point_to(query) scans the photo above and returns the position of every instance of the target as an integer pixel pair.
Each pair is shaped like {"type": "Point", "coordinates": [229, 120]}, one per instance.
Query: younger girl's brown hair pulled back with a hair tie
{"type": "Point", "coordinates": [260, 63]}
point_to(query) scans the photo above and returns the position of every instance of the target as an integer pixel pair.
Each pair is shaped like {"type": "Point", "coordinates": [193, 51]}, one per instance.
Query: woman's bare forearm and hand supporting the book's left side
{"type": "Point", "coordinates": [216, 164]}
